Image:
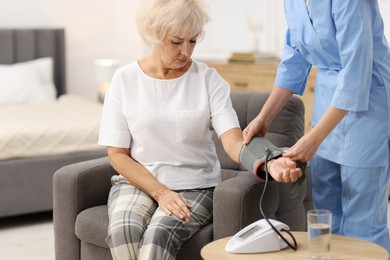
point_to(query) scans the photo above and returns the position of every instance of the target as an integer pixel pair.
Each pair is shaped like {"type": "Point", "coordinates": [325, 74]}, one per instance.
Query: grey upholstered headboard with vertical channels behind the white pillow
{"type": "Point", "coordinates": [18, 45]}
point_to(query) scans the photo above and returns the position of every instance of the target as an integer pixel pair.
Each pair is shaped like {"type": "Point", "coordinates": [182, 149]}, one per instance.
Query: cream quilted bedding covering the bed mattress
{"type": "Point", "coordinates": [70, 124]}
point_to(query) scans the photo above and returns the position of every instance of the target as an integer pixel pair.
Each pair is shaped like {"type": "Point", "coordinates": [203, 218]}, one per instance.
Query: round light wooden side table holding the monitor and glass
{"type": "Point", "coordinates": [342, 247]}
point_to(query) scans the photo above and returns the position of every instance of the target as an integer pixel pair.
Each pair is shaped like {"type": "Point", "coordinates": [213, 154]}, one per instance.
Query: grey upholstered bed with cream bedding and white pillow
{"type": "Point", "coordinates": [28, 162]}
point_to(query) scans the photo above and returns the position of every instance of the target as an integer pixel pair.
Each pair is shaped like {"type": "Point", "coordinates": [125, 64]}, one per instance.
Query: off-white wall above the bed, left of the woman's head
{"type": "Point", "coordinates": [94, 29]}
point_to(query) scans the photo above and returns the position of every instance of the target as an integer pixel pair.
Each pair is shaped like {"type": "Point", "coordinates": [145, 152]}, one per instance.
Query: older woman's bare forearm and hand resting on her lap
{"type": "Point", "coordinates": [170, 202]}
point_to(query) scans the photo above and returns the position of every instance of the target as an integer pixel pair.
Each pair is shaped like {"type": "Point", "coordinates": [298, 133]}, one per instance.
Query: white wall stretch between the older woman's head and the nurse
{"type": "Point", "coordinates": [229, 28]}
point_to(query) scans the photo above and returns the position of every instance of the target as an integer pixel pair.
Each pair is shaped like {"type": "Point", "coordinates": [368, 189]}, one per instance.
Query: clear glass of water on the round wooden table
{"type": "Point", "coordinates": [319, 224]}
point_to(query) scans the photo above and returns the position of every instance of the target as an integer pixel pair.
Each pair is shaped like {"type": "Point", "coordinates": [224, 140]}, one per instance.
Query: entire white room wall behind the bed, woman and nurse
{"type": "Point", "coordinates": [106, 29]}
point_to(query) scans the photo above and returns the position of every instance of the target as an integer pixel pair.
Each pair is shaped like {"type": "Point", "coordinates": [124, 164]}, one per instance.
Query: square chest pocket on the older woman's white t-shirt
{"type": "Point", "coordinates": [192, 125]}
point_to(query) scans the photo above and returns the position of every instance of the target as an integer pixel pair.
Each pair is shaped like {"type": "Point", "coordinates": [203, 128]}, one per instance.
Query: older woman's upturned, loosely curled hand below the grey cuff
{"type": "Point", "coordinates": [284, 170]}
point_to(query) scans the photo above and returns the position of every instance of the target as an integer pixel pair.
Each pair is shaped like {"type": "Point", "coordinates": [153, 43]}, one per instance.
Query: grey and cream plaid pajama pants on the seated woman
{"type": "Point", "coordinates": [139, 229]}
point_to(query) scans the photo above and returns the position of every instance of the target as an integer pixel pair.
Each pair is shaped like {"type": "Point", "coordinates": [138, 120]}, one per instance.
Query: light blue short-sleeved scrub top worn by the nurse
{"type": "Point", "coordinates": [345, 40]}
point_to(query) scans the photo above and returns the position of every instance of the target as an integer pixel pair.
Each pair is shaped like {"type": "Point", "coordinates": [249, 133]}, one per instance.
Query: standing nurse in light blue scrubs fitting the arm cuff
{"type": "Point", "coordinates": [348, 145]}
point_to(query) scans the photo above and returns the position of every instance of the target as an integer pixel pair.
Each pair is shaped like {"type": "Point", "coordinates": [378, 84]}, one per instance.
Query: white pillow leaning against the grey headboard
{"type": "Point", "coordinates": [27, 82]}
